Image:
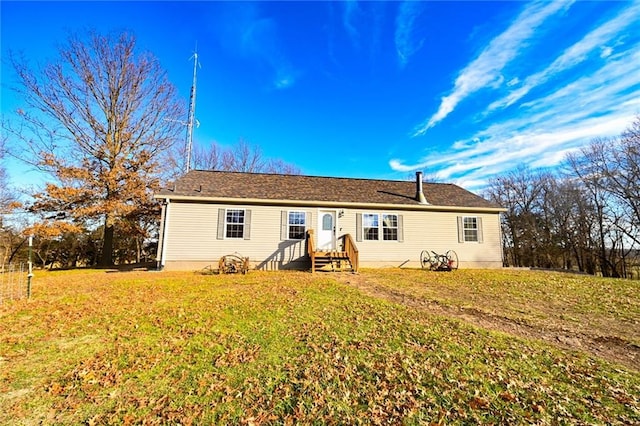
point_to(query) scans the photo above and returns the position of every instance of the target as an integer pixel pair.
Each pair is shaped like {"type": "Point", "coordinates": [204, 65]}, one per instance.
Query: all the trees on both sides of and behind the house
{"type": "Point", "coordinates": [103, 123]}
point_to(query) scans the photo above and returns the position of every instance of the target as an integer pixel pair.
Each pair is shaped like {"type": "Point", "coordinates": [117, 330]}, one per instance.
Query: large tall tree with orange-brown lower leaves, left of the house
{"type": "Point", "coordinates": [101, 120]}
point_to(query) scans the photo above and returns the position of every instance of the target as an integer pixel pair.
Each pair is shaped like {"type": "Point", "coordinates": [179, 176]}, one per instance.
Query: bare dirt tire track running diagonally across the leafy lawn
{"type": "Point", "coordinates": [610, 348]}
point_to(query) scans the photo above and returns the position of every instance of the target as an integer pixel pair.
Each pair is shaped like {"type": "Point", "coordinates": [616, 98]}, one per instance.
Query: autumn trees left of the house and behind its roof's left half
{"type": "Point", "coordinates": [102, 122]}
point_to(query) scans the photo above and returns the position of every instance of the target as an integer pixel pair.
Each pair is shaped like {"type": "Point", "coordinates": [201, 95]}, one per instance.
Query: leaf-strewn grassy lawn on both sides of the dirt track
{"type": "Point", "coordinates": [93, 347]}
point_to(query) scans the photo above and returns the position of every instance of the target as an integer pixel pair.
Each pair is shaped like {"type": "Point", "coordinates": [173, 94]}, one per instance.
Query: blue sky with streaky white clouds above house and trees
{"type": "Point", "coordinates": [463, 91]}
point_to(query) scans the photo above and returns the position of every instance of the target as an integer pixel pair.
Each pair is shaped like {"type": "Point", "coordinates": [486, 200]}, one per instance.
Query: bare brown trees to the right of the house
{"type": "Point", "coordinates": [586, 217]}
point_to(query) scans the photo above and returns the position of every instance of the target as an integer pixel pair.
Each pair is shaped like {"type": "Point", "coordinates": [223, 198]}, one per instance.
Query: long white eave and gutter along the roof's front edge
{"type": "Point", "coordinates": [337, 204]}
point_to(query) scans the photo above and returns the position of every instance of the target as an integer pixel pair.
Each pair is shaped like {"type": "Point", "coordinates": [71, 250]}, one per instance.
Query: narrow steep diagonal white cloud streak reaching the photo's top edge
{"type": "Point", "coordinates": [486, 69]}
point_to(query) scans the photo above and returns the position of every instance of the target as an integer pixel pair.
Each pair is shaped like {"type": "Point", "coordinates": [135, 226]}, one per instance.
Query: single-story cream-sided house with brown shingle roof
{"type": "Point", "coordinates": [281, 221]}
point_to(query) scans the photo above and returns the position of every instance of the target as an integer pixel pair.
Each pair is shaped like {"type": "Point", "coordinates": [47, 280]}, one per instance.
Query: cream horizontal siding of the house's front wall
{"type": "Point", "coordinates": [191, 238]}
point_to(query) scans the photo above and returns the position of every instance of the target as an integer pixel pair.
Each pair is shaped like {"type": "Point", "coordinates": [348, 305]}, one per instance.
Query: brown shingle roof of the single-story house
{"type": "Point", "coordinates": [274, 187]}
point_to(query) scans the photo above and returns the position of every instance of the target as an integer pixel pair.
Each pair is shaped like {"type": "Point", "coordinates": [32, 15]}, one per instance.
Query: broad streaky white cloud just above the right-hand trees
{"type": "Point", "coordinates": [602, 103]}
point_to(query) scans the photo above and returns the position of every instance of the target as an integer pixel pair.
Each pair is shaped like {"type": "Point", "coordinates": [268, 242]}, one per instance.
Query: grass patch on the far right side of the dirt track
{"type": "Point", "coordinates": [546, 300]}
